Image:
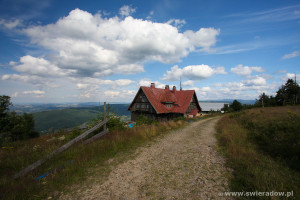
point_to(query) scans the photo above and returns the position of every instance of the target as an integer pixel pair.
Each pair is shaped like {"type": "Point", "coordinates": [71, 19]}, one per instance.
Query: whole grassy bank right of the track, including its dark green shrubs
{"type": "Point", "coordinates": [251, 141]}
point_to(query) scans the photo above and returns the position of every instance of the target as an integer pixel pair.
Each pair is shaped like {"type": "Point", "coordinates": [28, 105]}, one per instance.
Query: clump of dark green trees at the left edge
{"type": "Point", "coordinates": [13, 126]}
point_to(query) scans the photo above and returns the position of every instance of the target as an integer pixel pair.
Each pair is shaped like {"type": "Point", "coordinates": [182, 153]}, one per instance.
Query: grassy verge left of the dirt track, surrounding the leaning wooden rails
{"type": "Point", "coordinates": [71, 166]}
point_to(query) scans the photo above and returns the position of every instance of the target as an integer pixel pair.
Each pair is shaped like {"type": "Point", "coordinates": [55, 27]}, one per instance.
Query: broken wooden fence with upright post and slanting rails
{"type": "Point", "coordinates": [67, 145]}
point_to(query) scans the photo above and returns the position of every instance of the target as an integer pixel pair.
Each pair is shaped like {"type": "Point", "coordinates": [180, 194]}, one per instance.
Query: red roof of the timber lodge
{"type": "Point", "coordinates": [180, 99]}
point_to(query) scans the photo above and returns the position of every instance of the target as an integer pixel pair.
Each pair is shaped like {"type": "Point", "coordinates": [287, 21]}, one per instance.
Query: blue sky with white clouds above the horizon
{"type": "Point", "coordinates": [93, 51]}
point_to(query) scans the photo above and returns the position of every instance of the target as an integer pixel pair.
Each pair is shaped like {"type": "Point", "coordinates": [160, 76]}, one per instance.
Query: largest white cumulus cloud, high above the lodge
{"type": "Point", "coordinates": [91, 45]}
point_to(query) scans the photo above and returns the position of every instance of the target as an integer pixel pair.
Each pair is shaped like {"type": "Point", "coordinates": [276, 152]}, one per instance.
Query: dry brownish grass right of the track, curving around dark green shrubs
{"type": "Point", "coordinates": [255, 170]}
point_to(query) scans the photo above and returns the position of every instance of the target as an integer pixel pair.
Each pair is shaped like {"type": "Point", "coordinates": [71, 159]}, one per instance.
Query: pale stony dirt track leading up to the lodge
{"type": "Point", "coordinates": [181, 165]}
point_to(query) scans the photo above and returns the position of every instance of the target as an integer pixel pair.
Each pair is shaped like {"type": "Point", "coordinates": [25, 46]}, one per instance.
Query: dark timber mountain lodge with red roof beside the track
{"type": "Point", "coordinates": [164, 104]}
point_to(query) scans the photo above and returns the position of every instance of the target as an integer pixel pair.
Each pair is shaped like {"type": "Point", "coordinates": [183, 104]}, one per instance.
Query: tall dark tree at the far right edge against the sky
{"type": "Point", "coordinates": [288, 94]}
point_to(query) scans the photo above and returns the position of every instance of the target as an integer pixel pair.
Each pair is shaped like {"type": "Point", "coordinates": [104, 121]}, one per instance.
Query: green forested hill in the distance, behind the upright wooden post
{"type": "Point", "coordinates": [72, 117]}
